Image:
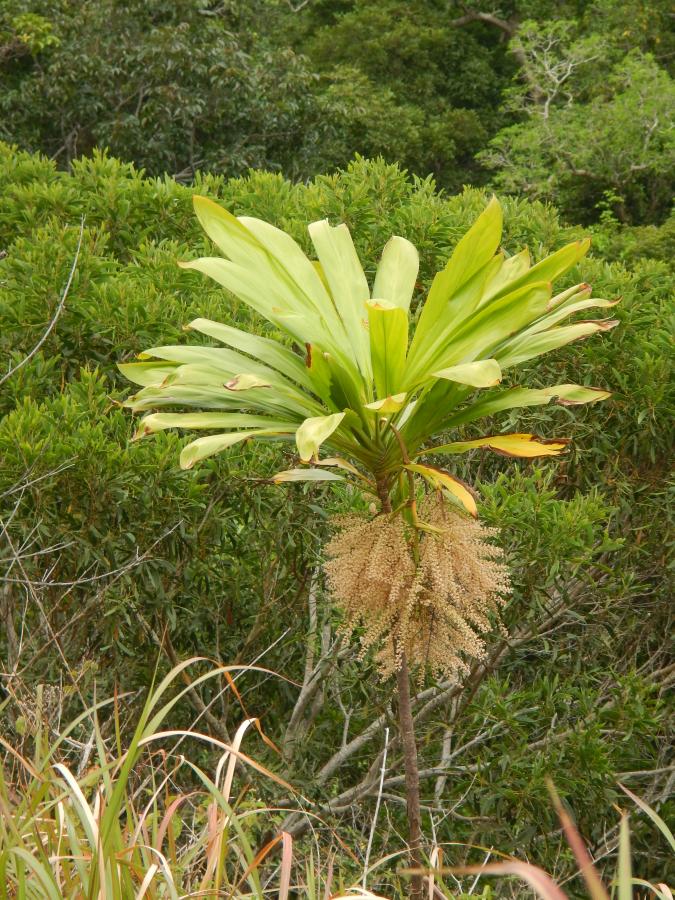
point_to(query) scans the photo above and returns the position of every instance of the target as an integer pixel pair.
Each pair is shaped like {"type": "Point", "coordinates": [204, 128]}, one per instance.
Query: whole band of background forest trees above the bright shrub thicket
{"type": "Point", "coordinates": [567, 102]}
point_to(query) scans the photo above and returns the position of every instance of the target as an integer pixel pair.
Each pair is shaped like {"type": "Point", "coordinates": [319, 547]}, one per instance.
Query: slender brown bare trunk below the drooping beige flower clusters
{"type": "Point", "coordinates": [412, 781]}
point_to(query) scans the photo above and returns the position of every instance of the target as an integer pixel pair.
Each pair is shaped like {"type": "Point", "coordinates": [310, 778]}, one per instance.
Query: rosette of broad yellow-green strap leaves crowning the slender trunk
{"type": "Point", "coordinates": [363, 387]}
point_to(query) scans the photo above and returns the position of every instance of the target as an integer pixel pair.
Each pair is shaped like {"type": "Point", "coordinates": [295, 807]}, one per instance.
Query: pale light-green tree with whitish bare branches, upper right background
{"type": "Point", "coordinates": [617, 146]}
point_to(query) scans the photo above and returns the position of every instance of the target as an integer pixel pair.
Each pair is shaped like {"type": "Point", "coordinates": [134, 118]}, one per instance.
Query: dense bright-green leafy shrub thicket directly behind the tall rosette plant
{"type": "Point", "coordinates": [118, 549]}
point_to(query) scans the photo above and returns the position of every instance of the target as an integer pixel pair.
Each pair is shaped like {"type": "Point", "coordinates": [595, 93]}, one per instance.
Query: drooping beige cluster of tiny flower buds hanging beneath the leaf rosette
{"type": "Point", "coordinates": [434, 602]}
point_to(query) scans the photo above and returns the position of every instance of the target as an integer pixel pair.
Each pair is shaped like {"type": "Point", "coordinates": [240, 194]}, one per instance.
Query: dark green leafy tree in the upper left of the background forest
{"type": "Point", "coordinates": [169, 85]}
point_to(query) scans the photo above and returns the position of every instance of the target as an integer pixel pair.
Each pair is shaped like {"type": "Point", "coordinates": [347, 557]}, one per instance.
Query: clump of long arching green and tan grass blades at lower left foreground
{"type": "Point", "coordinates": [139, 820]}
